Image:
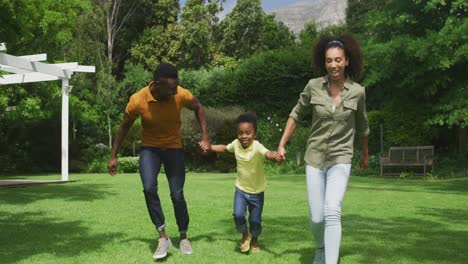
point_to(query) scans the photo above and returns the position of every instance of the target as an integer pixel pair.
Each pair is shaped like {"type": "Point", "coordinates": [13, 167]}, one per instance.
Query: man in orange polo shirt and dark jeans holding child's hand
{"type": "Point", "coordinates": [159, 105]}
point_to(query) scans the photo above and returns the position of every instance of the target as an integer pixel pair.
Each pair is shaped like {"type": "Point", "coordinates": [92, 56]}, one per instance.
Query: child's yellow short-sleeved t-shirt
{"type": "Point", "coordinates": [250, 172]}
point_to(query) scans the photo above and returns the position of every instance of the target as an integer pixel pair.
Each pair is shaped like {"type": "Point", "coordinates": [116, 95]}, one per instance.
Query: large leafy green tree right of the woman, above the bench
{"type": "Point", "coordinates": [416, 53]}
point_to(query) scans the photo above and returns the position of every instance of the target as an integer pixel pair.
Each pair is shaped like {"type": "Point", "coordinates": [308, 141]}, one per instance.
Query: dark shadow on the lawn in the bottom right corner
{"type": "Point", "coordinates": [405, 239]}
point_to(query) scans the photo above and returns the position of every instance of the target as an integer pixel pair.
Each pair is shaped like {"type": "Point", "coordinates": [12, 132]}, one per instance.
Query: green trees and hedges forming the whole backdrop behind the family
{"type": "Point", "coordinates": [415, 75]}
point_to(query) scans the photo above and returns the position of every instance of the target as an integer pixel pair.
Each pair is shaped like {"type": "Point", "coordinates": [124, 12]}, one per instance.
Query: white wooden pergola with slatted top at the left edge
{"type": "Point", "coordinates": [27, 69]}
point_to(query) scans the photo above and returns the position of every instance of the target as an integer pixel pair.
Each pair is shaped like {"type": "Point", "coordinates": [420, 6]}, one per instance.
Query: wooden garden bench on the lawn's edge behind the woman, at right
{"type": "Point", "coordinates": [408, 156]}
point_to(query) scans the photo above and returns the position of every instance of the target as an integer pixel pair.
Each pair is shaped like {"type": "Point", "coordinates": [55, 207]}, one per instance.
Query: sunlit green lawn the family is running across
{"type": "Point", "coordinates": [100, 219]}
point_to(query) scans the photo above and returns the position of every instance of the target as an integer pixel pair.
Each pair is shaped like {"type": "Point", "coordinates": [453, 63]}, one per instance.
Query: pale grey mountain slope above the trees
{"type": "Point", "coordinates": [324, 12]}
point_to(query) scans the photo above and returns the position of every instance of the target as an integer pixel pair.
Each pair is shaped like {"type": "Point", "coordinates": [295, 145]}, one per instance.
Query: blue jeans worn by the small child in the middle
{"type": "Point", "coordinates": [254, 202]}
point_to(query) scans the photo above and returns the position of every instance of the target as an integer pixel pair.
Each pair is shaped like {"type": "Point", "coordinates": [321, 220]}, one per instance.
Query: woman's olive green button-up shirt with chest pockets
{"type": "Point", "coordinates": [332, 133]}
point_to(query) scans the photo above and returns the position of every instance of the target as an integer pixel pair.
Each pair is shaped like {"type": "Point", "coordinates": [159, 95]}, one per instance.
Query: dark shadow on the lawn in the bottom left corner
{"type": "Point", "coordinates": [24, 235]}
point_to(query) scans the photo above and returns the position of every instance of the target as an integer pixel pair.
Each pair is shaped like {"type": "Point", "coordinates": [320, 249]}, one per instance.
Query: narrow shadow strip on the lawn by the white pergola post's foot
{"type": "Point", "coordinates": [67, 192]}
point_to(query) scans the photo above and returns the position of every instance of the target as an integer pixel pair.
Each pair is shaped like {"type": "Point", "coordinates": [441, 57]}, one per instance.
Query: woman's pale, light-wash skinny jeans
{"type": "Point", "coordinates": [325, 191]}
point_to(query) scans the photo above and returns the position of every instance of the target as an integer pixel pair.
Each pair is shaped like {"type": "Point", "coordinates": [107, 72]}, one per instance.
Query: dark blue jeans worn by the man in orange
{"type": "Point", "coordinates": [150, 164]}
